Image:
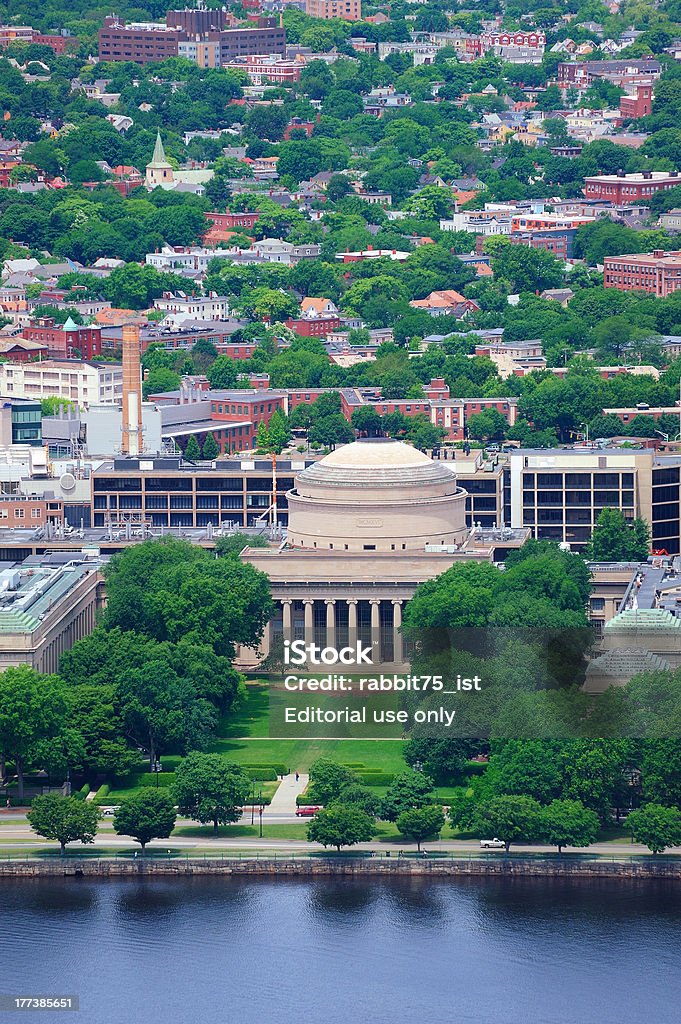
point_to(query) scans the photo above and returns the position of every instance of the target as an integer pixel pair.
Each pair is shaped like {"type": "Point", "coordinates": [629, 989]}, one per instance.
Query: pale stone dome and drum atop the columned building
{"type": "Point", "coordinates": [376, 495]}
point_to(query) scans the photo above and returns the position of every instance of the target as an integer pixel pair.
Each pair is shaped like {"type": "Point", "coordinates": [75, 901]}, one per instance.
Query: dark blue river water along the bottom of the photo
{"type": "Point", "coordinates": [335, 952]}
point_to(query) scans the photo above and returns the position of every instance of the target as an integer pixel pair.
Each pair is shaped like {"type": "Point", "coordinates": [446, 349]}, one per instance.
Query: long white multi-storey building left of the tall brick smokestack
{"type": "Point", "coordinates": [84, 383]}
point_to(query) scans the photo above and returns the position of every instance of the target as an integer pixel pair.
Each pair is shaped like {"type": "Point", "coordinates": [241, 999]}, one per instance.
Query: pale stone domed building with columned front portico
{"type": "Point", "coordinates": [367, 525]}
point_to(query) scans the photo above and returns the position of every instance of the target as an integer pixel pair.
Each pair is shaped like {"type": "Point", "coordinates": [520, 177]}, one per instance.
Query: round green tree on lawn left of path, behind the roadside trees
{"type": "Point", "coordinates": [210, 789]}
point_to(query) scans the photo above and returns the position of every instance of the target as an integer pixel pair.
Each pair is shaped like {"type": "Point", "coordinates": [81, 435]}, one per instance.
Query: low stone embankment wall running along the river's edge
{"type": "Point", "coordinates": [555, 868]}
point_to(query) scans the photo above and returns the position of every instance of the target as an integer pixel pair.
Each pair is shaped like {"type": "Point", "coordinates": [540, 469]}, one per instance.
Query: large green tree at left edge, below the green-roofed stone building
{"type": "Point", "coordinates": [33, 708]}
